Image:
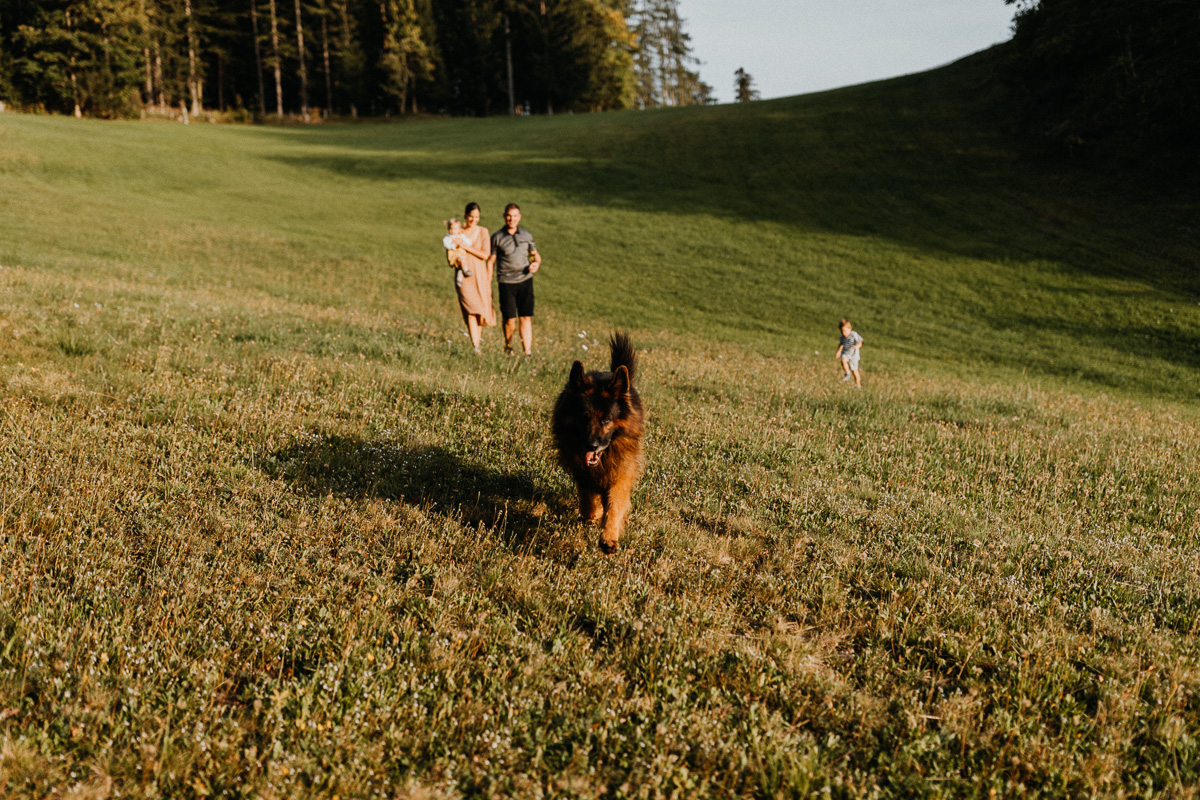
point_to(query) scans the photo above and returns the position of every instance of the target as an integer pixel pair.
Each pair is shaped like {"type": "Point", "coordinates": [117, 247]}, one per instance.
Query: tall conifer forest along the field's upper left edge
{"type": "Point", "coordinates": [307, 58]}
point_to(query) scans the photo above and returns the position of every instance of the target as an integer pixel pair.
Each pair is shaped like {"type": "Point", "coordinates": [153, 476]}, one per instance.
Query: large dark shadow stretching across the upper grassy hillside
{"type": "Point", "coordinates": [926, 161]}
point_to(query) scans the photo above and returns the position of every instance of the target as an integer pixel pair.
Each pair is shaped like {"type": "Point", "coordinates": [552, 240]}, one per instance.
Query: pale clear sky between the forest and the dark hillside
{"type": "Point", "coordinates": [795, 47]}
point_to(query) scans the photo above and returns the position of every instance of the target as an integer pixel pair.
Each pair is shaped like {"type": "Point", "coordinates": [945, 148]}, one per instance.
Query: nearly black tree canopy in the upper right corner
{"type": "Point", "coordinates": [1094, 70]}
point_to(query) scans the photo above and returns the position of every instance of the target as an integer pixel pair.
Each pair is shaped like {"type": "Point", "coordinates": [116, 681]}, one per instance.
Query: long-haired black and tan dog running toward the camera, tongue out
{"type": "Point", "coordinates": [598, 426]}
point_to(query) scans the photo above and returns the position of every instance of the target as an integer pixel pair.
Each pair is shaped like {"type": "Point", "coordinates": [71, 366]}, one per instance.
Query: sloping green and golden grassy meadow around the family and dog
{"type": "Point", "coordinates": [269, 530]}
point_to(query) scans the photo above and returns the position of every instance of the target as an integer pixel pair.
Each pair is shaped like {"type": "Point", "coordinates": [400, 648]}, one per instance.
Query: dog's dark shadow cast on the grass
{"type": "Point", "coordinates": [429, 478]}
